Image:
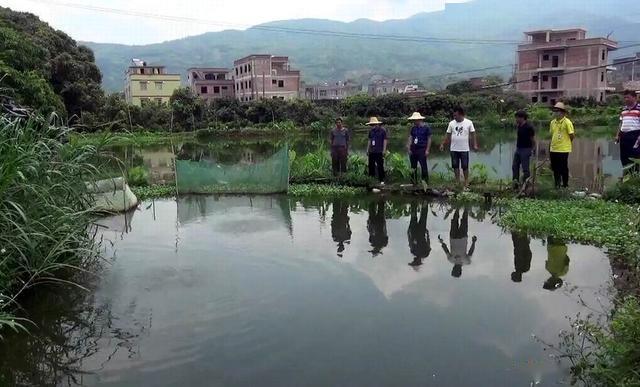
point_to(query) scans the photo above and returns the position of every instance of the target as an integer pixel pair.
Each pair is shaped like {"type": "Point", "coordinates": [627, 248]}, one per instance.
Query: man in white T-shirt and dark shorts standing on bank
{"type": "Point", "coordinates": [459, 132]}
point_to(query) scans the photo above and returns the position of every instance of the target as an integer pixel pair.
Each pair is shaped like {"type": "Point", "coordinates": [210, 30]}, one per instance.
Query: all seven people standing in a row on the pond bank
{"type": "Point", "coordinates": [461, 137]}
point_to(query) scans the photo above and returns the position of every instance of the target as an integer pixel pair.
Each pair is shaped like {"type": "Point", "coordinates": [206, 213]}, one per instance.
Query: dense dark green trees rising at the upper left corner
{"type": "Point", "coordinates": [45, 69]}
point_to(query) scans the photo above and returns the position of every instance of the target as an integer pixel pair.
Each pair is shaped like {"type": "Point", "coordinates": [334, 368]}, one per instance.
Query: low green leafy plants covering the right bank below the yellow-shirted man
{"type": "Point", "coordinates": [612, 225]}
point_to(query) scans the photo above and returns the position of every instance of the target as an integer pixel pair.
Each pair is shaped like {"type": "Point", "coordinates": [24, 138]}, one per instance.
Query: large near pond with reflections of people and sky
{"type": "Point", "coordinates": [272, 291]}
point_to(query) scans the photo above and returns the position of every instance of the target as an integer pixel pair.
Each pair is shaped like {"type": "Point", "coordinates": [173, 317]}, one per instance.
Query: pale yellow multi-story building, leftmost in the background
{"type": "Point", "coordinates": [144, 83]}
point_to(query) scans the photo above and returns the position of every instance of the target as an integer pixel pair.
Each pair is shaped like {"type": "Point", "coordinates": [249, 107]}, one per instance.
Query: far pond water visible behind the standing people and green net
{"type": "Point", "coordinates": [593, 163]}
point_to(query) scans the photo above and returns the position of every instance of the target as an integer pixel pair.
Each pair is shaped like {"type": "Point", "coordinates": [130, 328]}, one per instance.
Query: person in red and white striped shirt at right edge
{"type": "Point", "coordinates": [629, 132]}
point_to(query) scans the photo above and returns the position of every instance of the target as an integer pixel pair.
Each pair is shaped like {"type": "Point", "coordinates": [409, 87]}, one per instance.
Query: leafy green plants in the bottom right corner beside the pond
{"type": "Point", "coordinates": [605, 352]}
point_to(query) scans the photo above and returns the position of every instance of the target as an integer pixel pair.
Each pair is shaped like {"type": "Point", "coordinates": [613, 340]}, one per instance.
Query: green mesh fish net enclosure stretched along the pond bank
{"type": "Point", "coordinates": [270, 175]}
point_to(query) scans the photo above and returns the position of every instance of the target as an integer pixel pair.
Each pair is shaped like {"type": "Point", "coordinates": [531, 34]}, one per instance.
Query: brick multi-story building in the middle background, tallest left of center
{"type": "Point", "coordinates": [265, 76]}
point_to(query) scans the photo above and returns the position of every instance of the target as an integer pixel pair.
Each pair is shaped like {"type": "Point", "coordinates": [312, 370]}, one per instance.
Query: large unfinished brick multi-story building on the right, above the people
{"type": "Point", "coordinates": [558, 64]}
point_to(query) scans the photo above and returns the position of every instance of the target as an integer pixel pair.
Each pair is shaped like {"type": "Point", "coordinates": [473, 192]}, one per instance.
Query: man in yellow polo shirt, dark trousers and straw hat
{"type": "Point", "coordinates": [562, 135]}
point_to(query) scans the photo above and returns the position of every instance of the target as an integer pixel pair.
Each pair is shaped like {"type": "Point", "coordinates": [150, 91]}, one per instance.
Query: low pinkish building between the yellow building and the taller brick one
{"type": "Point", "coordinates": [211, 83]}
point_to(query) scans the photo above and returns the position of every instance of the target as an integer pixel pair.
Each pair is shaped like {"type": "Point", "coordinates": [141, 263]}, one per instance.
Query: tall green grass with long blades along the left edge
{"type": "Point", "coordinates": [45, 209]}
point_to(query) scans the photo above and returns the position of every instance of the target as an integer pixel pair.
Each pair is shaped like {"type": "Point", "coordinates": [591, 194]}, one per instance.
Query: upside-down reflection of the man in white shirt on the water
{"type": "Point", "coordinates": [459, 239]}
